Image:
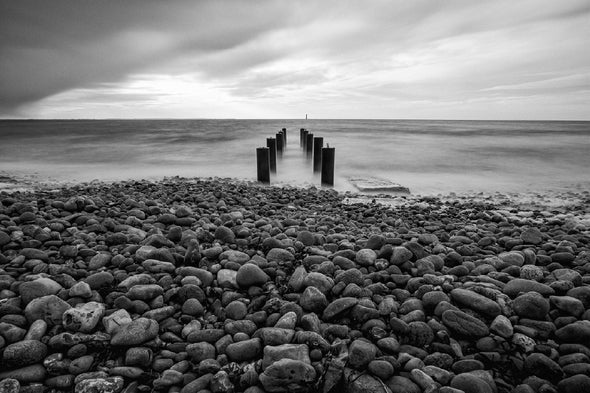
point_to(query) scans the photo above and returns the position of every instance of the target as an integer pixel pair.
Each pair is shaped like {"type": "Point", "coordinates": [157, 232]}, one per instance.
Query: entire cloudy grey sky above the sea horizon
{"type": "Point", "coordinates": [438, 59]}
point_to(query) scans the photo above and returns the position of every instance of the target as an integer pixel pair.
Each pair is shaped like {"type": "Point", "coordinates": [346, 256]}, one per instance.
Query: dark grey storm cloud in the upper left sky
{"type": "Point", "coordinates": [50, 46]}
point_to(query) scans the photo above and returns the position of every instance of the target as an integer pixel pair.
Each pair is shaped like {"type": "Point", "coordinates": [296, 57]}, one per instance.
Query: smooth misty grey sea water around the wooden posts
{"type": "Point", "coordinates": [428, 156]}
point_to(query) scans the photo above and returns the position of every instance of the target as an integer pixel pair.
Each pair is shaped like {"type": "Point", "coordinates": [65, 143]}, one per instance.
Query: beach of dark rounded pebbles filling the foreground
{"type": "Point", "coordinates": [219, 285]}
